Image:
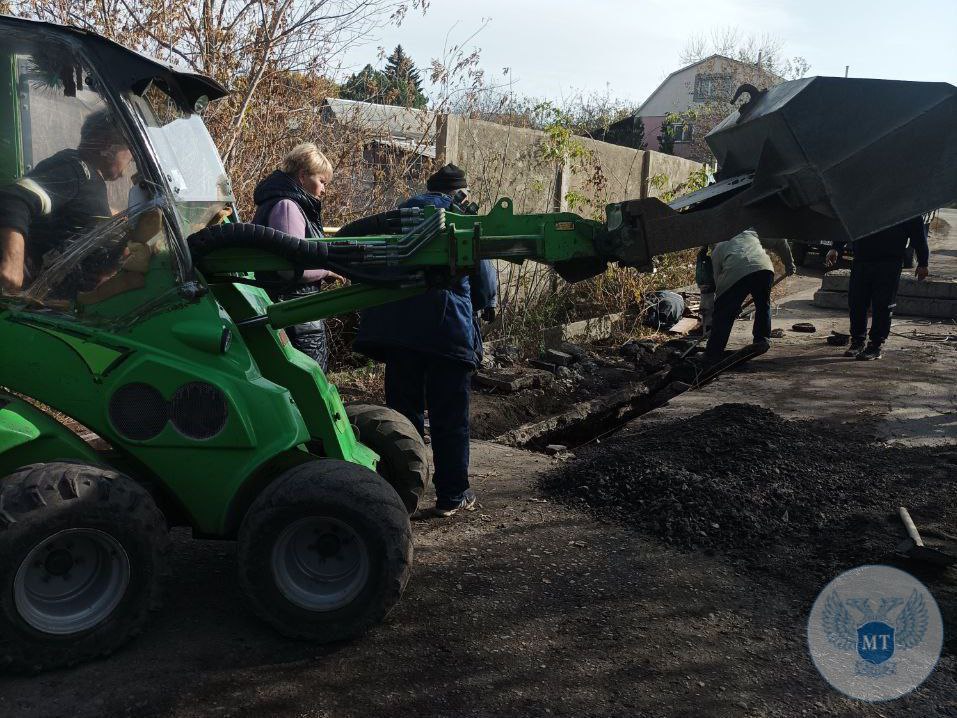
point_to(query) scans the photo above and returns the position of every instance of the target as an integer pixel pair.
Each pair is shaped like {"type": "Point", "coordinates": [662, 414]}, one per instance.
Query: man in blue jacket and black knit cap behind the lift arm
{"type": "Point", "coordinates": [431, 344]}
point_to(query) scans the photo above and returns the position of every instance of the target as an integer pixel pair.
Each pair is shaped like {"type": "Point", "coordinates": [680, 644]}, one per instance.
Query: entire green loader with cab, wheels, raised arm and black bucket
{"type": "Point", "coordinates": [146, 380]}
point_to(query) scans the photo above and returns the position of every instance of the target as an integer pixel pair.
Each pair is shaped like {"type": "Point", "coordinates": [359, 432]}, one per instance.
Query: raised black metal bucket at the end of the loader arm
{"type": "Point", "coordinates": [843, 158]}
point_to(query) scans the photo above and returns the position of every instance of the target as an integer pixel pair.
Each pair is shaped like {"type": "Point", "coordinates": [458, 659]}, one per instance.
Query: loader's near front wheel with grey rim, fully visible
{"type": "Point", "coordinates": [365, 508]}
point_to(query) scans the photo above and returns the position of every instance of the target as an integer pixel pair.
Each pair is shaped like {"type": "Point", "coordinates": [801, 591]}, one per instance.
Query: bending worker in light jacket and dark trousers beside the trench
{"type": "Point", "coordinates": [742, 267]}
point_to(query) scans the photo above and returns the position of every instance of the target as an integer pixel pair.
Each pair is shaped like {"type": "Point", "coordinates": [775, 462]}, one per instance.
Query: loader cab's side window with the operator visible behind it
{"type": "Point", "coordinates": [83, 232]}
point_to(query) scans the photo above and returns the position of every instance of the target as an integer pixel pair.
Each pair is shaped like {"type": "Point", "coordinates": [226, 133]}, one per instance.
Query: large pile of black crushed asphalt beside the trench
{"type": "Point", "coordinates": [740, 479]}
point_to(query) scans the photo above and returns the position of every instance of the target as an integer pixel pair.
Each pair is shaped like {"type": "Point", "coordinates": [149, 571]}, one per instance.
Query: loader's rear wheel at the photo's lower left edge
{"type": "Point", "coordinates": [70, 512]}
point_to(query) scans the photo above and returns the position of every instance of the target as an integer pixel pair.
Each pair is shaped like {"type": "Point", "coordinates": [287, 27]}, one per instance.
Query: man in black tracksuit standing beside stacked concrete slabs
{"type": "Point", "coordinates": [875, 276]}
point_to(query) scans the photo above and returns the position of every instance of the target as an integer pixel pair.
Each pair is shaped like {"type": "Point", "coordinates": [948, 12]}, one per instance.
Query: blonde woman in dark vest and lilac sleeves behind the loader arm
{"type": "Point", "coordinates": [290, 200]}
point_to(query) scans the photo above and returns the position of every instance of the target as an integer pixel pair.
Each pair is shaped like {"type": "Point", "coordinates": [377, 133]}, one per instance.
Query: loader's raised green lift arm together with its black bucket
{"type": "Point", "coordinates": [787, 170]}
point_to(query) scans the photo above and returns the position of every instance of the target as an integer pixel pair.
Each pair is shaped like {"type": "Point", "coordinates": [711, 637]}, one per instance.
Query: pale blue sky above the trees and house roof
{"type": "Point", "coordinates": [559, 48]}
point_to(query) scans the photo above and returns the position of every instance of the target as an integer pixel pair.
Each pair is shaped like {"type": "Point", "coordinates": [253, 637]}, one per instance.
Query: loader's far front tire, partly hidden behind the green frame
{"type": "Point", "coordinates": [404, 461]}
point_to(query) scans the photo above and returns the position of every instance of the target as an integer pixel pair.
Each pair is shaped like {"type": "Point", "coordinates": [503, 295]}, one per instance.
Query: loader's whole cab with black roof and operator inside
{"type": "Point", "coordinates": [105, 168]}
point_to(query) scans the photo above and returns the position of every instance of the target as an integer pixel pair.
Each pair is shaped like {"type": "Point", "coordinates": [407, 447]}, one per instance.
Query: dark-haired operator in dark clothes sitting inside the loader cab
{"type": "Point", "coordinates": [64, 196]}
